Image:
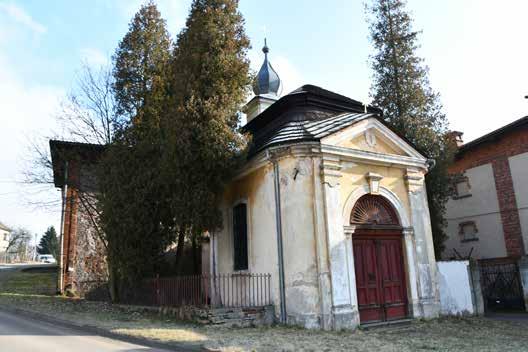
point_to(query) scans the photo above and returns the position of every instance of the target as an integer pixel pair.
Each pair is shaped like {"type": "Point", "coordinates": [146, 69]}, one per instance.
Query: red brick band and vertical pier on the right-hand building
{"type": "Point", "coordinates": [497, 153]}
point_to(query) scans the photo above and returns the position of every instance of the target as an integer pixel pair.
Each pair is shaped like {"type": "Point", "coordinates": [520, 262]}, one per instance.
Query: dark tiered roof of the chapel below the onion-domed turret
{"type": "Point", "coordinates": [309, 113]}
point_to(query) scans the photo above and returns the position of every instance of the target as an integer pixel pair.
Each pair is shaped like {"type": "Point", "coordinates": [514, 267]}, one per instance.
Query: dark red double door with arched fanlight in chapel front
{"type": "Point", "coordinates": [378, 260]}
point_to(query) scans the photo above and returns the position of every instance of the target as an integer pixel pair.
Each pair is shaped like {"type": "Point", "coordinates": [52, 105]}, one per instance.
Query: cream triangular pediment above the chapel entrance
{"type": "Point", "coordinates": [371, 135]}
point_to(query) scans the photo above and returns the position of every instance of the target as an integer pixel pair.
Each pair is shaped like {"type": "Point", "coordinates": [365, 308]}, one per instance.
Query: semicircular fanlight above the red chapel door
{"type": "Point", "coordinates": [373, 210]}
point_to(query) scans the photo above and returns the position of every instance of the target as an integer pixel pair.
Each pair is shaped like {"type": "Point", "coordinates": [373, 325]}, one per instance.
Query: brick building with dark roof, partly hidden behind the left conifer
{"type": "Point", "coordinates": [82, 263]}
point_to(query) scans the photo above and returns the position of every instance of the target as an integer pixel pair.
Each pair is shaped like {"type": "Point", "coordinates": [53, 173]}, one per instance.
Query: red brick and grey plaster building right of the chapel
{"type": "Point", "coordinates": [488, 216]}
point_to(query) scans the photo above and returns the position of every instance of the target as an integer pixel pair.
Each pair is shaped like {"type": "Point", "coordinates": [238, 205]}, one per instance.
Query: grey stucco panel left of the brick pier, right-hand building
{"type": "Point", "coordinates": [482, 207]}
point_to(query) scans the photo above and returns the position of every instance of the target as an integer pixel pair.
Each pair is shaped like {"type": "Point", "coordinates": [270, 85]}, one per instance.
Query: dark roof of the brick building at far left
{"type": "Point", "coordinates": [62, 151]}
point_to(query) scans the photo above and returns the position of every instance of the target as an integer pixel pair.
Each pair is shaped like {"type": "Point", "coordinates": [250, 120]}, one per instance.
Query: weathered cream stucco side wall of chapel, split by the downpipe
{"type": "Point", "coordinates": [300, 261]}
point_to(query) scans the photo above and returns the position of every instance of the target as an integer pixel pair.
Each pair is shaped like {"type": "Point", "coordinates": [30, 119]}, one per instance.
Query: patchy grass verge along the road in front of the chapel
{"type": "Point", "coordinates": [445, 334]}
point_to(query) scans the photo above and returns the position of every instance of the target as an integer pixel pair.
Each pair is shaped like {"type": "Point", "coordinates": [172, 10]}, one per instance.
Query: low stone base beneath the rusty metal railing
{"type": "Point", "coordinates": [231, 317]}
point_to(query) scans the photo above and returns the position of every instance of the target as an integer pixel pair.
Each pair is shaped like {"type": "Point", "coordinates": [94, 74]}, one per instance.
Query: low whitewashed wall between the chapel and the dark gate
{"type": "Point", "coordinates": [455, 288]}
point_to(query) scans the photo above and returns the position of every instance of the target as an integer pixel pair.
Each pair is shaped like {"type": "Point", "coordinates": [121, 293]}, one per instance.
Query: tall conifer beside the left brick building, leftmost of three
{"type": "Point", "coordinates": [131, 197]}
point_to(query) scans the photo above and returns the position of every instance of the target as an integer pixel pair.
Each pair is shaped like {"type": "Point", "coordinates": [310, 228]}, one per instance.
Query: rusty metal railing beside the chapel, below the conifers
{"type": "Point", "coordinates": [222, 290]}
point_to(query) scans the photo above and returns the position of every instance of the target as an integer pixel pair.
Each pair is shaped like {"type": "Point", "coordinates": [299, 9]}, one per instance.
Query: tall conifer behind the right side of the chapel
{"type": "Point", "coordinates": [401, 88]}
